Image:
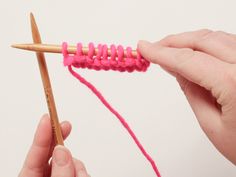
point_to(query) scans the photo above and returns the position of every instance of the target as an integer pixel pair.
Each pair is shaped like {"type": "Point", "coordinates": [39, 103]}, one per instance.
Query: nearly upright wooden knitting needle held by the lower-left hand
{"type": "Point", "coordinates": [46, 84]}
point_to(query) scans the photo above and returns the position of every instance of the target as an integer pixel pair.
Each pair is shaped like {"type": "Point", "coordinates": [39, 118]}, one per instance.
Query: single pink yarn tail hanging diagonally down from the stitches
{"type": "Point", "coordinates": [121, 119]}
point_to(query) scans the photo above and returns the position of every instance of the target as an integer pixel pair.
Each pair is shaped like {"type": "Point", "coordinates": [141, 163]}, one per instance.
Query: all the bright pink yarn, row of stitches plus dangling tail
{"type": "Point", "coordinates": [90, 61]}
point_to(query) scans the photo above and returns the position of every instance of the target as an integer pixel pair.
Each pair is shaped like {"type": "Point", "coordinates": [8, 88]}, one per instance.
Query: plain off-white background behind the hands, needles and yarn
{"type": "Point", "coordinates": [152, 102]}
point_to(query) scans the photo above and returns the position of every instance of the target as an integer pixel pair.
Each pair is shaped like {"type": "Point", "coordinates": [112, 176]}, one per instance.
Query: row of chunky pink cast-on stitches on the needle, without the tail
{"type": "Point", "coordinates": [117, 61]}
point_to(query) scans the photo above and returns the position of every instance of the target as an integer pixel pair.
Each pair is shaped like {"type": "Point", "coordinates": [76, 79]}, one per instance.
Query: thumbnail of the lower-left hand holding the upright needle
{"type": "Point", "coordinates": [61, 155]}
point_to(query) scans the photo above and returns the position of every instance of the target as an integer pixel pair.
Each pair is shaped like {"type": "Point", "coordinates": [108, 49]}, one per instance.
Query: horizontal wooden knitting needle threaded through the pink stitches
{"type": "Point", "coordinates": [50, 48]}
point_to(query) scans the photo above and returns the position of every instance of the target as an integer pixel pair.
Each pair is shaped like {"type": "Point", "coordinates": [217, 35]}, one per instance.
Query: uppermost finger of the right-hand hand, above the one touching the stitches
{"type": "Point", "coordinates": [216, 43]}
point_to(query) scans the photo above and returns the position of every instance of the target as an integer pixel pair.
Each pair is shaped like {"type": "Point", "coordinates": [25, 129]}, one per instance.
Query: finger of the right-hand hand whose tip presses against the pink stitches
{"type": "Point", "coordinates": [198, 67]}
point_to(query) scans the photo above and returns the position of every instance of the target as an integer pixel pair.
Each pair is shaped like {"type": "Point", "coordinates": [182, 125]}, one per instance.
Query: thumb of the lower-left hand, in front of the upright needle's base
{"type": "Point", "coordinates": [62, 163]}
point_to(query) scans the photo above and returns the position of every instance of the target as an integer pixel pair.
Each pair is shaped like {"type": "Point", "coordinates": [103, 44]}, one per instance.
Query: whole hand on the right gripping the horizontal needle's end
{"type": "Point", "coordinates": [203, 63]}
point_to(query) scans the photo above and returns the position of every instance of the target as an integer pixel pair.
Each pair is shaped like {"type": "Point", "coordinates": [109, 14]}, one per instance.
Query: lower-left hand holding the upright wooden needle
{"type": "Point", "coordinates": [62, 164]}
